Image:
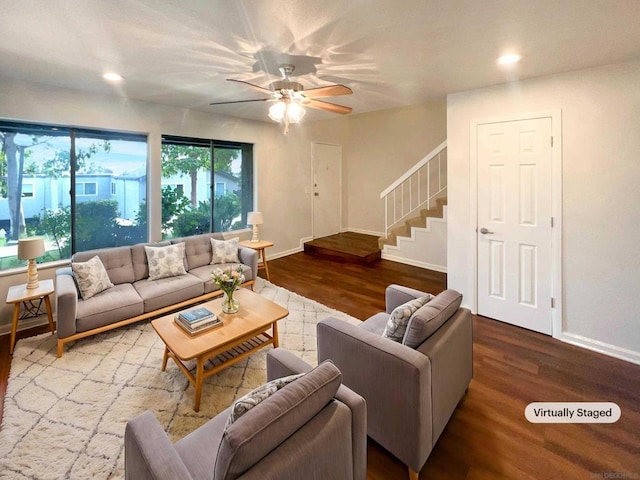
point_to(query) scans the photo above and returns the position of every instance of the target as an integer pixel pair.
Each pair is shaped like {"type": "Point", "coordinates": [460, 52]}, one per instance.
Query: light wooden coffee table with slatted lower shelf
{"type": "Point", "coordinates": [242, 334]}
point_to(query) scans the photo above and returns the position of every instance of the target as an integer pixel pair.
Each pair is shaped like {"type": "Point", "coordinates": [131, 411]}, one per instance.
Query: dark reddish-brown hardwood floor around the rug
{"type": "Point", "coordinates": [488, 436]}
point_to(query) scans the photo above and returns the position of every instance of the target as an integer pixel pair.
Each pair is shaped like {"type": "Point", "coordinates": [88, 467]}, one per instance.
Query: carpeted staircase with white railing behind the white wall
{"type": "Point", "coordinates": [416, 212]}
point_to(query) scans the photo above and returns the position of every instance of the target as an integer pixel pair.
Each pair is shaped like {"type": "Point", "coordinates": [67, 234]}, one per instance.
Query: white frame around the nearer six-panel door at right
{"type": "Point", "coordinates": [556, 206]}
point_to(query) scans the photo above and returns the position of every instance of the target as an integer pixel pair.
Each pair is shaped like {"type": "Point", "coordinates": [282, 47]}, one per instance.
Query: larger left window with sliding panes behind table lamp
{"type": "Point", "coordinates": [60, 183]}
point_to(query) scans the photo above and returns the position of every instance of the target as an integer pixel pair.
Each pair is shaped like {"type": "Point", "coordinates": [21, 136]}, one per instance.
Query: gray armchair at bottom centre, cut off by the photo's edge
{"type": "Point", "coordinates": [311, 428]}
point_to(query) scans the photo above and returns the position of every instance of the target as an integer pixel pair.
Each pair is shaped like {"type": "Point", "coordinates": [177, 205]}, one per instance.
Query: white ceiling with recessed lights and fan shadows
{"type": "Point", "coordinates": [391, 53]}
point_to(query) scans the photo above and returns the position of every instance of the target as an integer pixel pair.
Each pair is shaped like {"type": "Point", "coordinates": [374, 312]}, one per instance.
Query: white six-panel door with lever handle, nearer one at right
{"type": "Point", "coordinates": [514, 238]}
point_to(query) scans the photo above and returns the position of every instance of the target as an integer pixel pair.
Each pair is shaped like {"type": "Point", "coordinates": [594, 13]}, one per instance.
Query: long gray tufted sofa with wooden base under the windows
{"type": "Point", "coordinates": [134, 297]}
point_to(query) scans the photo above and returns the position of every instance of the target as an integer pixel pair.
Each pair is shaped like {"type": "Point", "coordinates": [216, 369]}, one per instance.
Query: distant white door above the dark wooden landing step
{"type": "Point", "coordinates": [327, 189]}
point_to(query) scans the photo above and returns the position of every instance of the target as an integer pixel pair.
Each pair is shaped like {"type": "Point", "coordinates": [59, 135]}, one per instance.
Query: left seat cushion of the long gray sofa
{"type": "Point", "coordinates": [107, 307]}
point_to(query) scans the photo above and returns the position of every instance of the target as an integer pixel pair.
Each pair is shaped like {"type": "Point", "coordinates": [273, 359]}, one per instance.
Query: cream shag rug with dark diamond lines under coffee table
{"type": "Point", "coordinates": [64, 418]}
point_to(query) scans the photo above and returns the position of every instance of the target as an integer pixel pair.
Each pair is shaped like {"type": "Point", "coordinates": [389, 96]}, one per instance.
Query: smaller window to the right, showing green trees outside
{"type": "Point", "coordinates": [197, 166]}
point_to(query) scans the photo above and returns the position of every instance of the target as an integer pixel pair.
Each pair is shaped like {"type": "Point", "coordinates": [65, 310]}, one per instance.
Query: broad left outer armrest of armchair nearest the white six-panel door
{"type": "Point", "coordinates": [394, 380]}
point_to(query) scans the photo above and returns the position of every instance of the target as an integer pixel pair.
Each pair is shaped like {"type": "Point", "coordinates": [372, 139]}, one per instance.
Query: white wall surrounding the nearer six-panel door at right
{"type": "Point", "coordinates": [601, 196]}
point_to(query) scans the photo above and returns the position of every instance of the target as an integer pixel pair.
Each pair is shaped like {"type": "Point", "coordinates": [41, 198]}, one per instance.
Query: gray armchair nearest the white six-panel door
{"type": "Point", "coordinates": [411, 393]}
